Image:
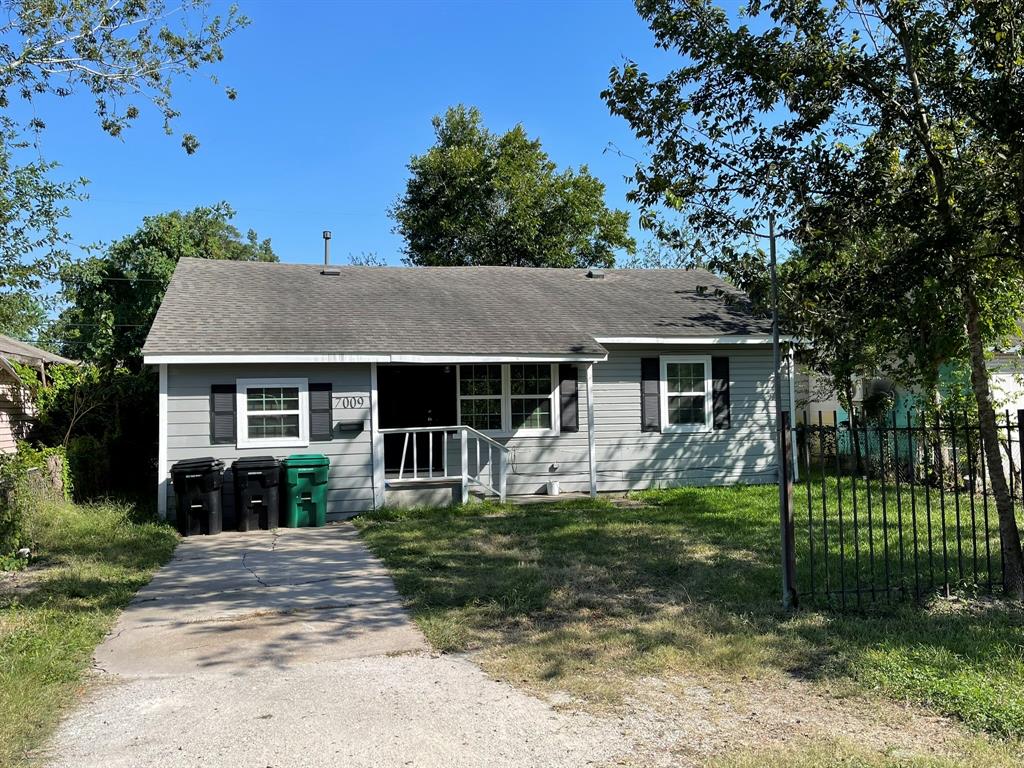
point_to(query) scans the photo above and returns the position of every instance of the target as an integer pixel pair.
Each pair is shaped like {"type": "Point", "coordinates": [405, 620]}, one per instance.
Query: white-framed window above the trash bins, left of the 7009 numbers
{"type": "Point", "coordinates": [273, 413]}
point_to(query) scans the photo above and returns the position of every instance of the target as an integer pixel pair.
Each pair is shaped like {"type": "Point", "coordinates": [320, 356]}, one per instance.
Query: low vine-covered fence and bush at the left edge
{"type": "Point", "coordinates": [26, 479]}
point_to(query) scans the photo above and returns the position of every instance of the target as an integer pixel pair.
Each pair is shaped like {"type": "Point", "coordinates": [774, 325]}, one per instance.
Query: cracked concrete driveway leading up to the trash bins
{"type": "Point", "coordinates": [292, 649]}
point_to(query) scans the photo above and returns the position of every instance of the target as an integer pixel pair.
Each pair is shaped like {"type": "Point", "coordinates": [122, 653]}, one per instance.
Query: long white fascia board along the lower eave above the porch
{"type": "Point", "coordinates": [185, 360]}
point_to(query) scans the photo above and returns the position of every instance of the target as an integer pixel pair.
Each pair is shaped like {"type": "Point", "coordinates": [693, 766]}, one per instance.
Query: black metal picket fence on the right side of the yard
{"type": "Point", "coordinates": [899, 510]}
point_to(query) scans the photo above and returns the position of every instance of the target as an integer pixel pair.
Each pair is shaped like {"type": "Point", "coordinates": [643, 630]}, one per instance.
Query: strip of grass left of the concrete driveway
{"type": "Point", "coordinates": [93, 560]}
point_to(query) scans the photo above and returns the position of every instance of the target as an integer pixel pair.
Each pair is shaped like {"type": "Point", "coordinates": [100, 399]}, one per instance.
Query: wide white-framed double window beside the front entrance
{"type": "Point", "coordinates": [510, 399]}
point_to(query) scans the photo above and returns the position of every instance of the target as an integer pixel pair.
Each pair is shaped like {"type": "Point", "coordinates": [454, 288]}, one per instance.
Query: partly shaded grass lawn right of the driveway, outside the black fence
{"type": "Point", "coordinates": [581, 596]}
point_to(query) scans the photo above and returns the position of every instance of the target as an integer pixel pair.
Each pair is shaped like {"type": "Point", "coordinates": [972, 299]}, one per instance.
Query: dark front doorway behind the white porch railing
{"type": "Point", "coordinates": [416, 397]}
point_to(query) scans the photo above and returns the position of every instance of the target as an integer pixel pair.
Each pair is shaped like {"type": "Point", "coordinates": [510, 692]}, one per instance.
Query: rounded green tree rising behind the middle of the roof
{"type": "Point", "coordinates": [481, 199]}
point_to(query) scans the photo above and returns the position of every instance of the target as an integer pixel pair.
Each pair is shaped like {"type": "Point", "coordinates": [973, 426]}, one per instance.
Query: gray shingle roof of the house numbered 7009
{"type": "Point", "coordinates": [215, 307]}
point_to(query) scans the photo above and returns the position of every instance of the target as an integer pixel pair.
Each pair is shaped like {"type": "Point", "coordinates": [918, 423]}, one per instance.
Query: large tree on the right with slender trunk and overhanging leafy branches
{"type": "Point", "coordinates": [854, 121]}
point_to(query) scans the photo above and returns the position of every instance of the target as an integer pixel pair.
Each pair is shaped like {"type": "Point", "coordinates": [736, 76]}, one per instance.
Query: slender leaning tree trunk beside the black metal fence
{"type": "Point", "coordinates": [1013, 558]}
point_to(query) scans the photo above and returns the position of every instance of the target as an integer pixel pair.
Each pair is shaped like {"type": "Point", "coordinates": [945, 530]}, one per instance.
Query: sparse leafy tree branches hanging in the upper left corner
{"type": "Point", "coordinates": [125, 57]}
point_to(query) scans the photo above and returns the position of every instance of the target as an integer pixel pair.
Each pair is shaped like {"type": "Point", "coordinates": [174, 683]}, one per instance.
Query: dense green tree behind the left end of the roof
{"type": "Point", "coordinates": [113, 297]}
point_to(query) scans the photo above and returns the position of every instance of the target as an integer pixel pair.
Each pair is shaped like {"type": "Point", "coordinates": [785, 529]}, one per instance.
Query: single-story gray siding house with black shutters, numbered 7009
{"type": "Point", "coordinates": [426, 385]}
